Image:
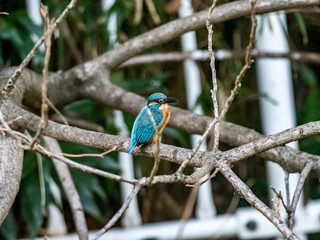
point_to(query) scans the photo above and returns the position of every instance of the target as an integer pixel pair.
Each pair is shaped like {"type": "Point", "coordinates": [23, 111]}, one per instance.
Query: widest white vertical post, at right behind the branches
{"type": "Point", "coordinates": [276, 100]}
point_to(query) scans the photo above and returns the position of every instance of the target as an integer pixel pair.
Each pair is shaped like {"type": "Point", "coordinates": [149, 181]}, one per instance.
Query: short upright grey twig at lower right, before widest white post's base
{"type": "Point", "coordinates": [303, 175]}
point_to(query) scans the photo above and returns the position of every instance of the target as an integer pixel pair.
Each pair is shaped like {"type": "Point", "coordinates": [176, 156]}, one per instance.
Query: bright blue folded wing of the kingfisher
{"type": "Point", "coordinates": [143, 129]}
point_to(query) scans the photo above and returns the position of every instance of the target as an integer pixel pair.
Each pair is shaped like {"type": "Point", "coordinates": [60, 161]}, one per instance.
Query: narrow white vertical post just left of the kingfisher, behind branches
{"type": "Point", "coordinates": [131, 217]}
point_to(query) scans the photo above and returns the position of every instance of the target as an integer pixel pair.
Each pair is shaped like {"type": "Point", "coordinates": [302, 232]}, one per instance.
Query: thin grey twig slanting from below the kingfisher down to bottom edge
{"type": "Point", "coordinates": [121, 211]}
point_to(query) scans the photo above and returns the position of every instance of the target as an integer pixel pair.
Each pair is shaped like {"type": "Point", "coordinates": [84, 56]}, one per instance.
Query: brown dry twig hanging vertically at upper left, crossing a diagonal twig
{"type": "Point", "coordinates": [44, 90]}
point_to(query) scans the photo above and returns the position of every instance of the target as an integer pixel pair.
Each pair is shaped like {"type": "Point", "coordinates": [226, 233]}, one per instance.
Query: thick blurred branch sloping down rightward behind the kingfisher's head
{"type": "Point", "coordinates": [232, 134]}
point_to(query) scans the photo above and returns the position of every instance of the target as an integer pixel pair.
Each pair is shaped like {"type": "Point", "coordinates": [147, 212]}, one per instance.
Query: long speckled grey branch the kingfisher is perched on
{"type": "Point", "coordinates": [177, 154]}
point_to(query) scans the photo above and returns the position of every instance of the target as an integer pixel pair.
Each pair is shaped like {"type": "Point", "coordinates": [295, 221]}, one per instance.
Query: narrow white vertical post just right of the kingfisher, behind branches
{"type": "Point", "coordinates": [205, 205]}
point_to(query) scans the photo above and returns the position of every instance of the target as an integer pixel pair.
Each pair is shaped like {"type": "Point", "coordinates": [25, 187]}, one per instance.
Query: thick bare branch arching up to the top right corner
{"type": "Point", "coordinates": [173, 29]}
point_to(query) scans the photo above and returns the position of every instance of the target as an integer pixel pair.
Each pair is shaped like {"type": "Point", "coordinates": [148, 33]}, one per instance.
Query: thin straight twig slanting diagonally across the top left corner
{"type": "Point", "coordinates": [13, 79]}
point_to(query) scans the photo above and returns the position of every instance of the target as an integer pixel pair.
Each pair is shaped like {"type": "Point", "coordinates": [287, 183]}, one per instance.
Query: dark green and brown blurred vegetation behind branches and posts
{"type": "Point", "coordinates": [82, 37]}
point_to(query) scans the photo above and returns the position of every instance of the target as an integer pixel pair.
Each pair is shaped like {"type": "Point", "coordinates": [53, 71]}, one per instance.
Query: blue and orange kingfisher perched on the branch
{"type": "Point", "coordinates": [143, 130]}
